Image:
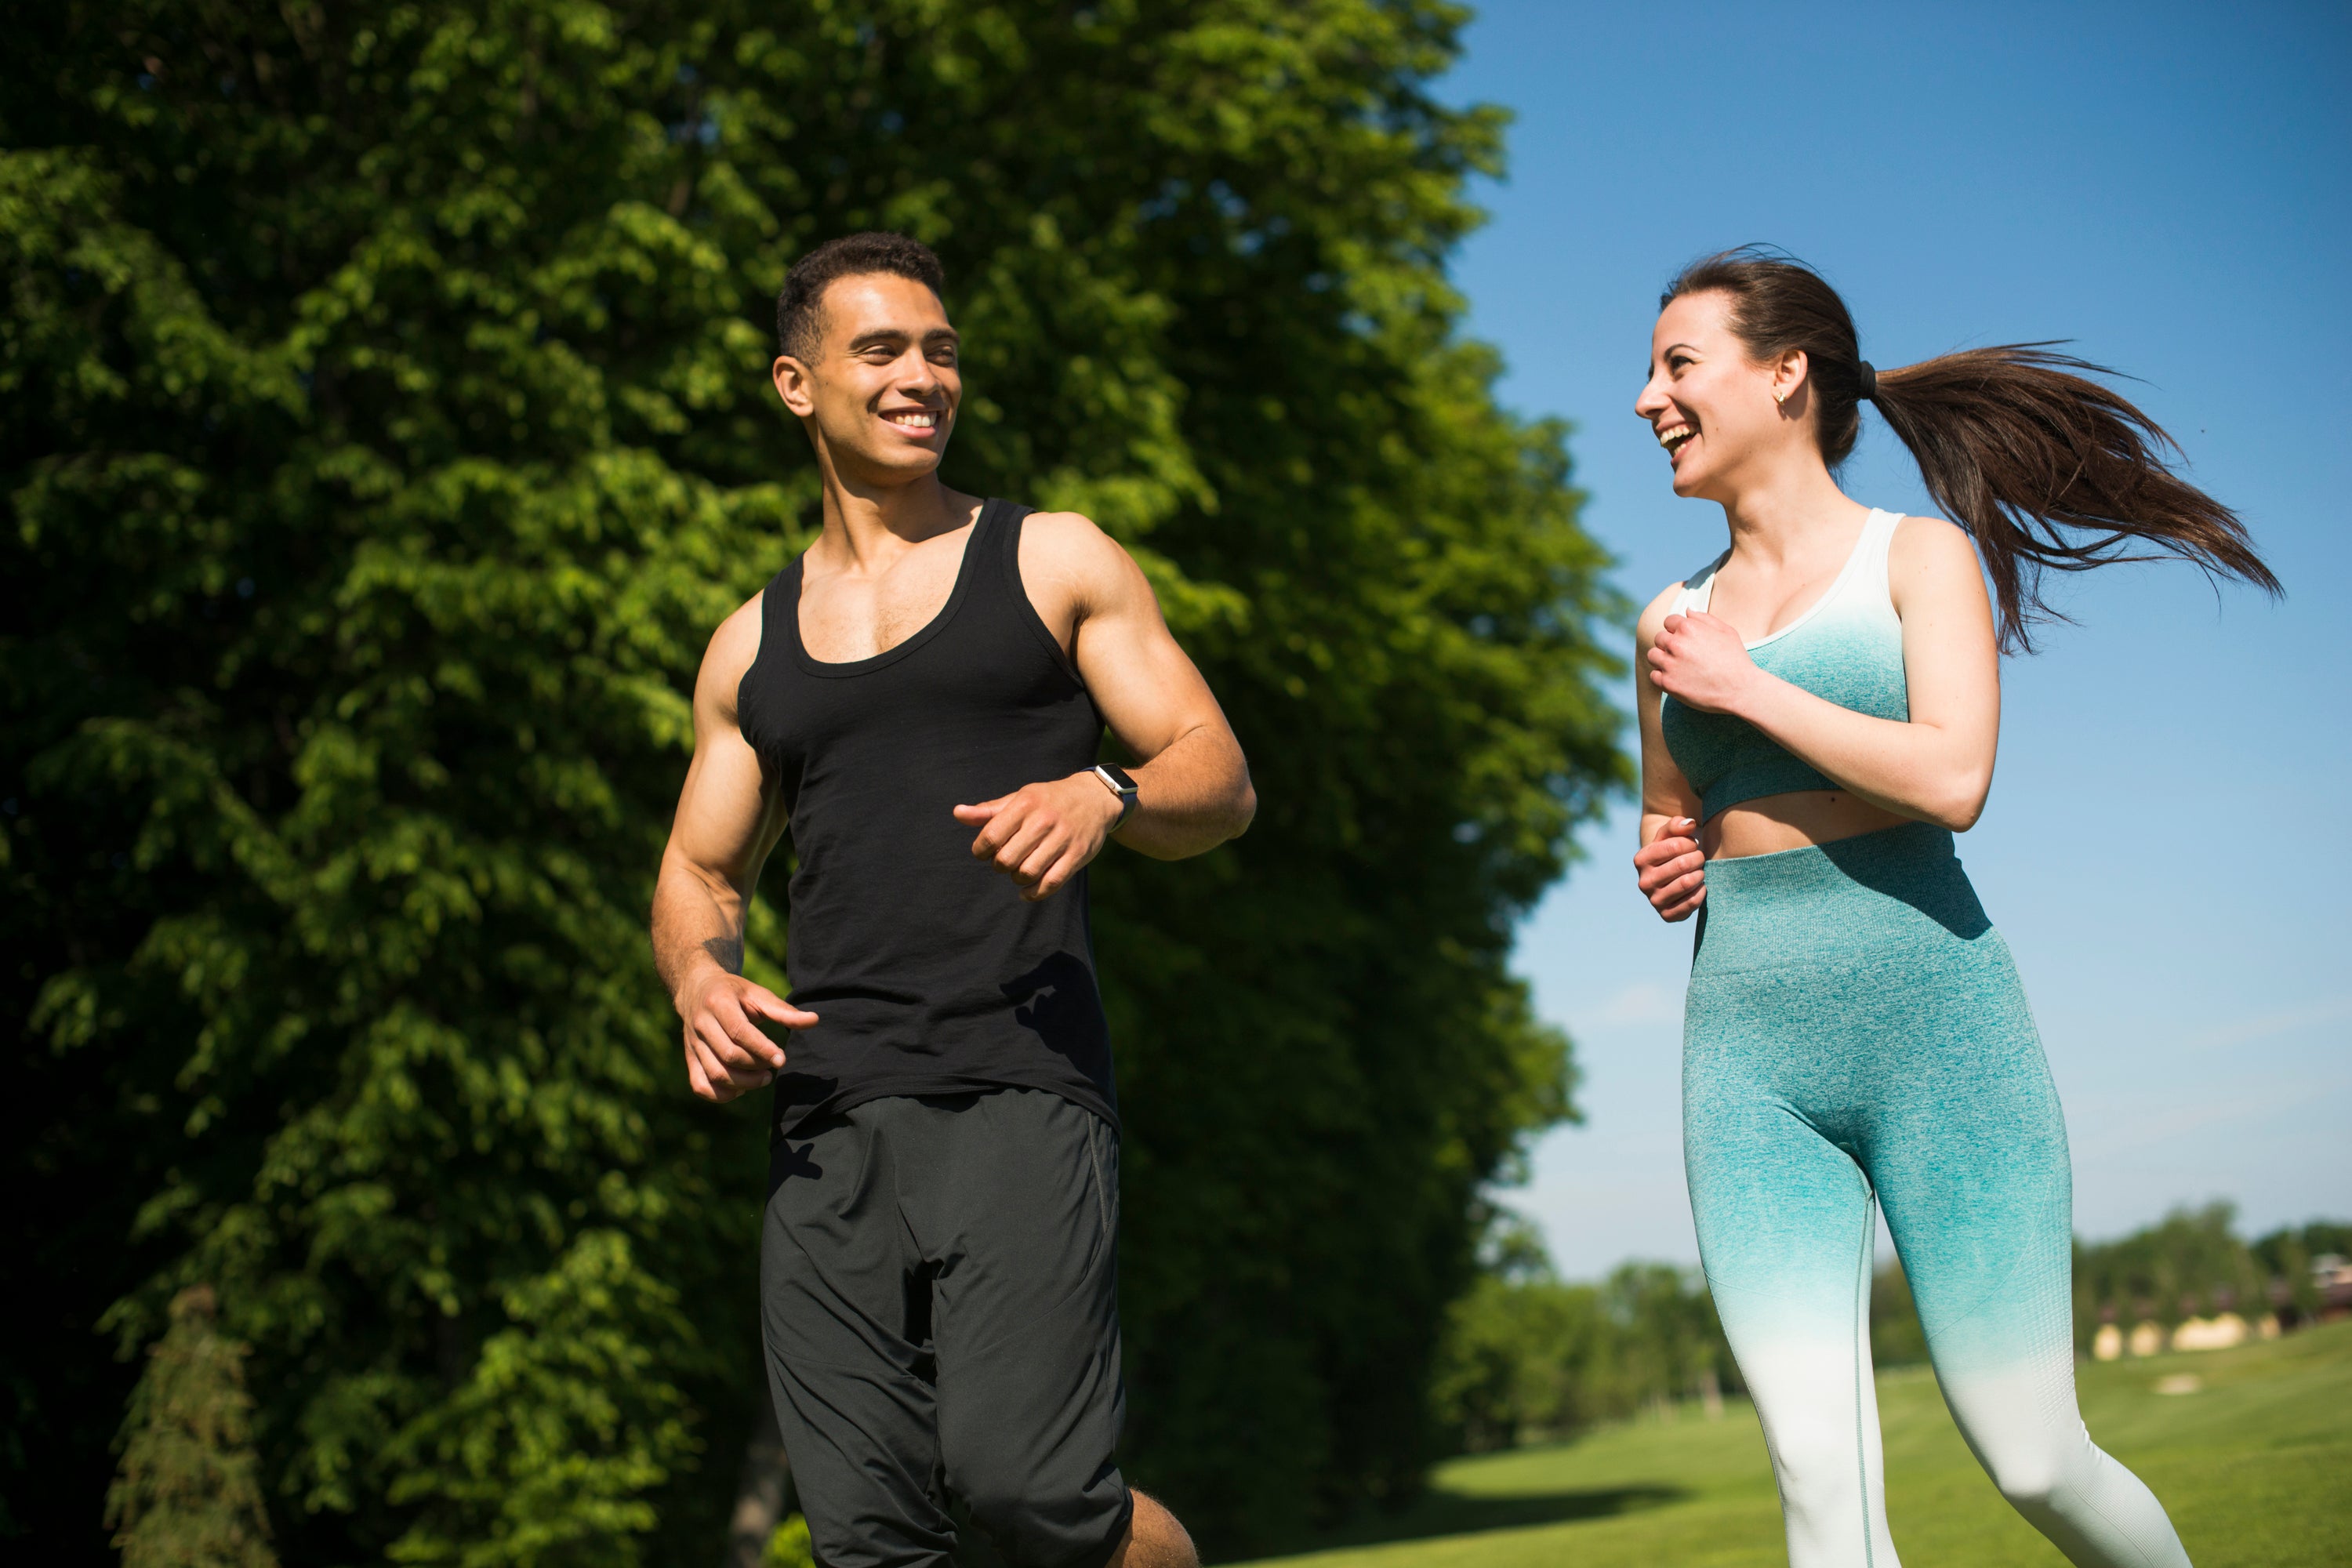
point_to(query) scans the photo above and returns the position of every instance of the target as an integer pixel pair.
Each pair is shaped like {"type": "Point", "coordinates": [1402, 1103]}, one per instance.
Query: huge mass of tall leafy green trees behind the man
{"type": "Point", "coordinates": [385, 431]}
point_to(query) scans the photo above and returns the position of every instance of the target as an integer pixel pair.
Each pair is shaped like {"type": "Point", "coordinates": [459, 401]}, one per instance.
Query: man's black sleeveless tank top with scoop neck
{"type": "Point", "coordinates": [926, 967]}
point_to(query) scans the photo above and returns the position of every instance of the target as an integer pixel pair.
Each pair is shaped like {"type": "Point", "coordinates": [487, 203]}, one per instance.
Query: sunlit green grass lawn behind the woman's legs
{"type": "Point", "coordinates": [2254, 1466]}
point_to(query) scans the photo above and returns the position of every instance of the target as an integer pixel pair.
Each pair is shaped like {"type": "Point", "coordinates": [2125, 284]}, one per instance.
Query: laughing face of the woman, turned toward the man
{"type": "Point", "coordinates": [1709, 403]}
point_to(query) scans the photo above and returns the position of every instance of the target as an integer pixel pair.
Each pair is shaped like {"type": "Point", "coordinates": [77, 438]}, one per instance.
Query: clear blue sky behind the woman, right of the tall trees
{"type": "Point", "coordinates": [2167, 843]}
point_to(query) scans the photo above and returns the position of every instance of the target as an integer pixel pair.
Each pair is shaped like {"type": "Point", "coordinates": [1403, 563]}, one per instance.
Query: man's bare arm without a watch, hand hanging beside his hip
{"type": "Point", "coordinates": [728, 824]}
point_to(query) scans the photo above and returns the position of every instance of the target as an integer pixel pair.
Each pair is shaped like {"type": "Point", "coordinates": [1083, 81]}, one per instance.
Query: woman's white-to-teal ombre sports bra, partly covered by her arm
{"type": "Point", "coordinates": [1847, 650]}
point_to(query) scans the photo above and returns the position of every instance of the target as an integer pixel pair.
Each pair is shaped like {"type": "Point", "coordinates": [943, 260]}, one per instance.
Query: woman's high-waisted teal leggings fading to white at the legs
{"type": "Point", "coordinates": [1857, 1033]}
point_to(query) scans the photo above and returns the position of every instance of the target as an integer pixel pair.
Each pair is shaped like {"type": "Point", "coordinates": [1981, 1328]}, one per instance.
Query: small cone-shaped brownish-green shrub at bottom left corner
{"type": "Point", "coordinates": [187, 1494]}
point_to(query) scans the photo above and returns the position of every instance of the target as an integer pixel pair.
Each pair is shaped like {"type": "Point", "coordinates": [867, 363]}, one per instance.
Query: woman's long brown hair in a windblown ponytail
{"type": "Point", "coordinates": [2045, 467]}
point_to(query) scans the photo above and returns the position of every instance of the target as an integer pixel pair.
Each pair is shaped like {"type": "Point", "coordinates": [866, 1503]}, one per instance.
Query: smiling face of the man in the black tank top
{"type": "Point", "coordinates": [883, 389]}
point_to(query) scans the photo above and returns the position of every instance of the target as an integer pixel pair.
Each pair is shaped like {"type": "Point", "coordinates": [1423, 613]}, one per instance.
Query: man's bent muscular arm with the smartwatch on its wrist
{"type": "Point", "coordinates": [1191, 777]}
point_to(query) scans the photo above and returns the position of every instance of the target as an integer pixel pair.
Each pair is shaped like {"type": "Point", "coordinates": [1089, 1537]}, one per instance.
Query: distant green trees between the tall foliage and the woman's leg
{"type": "Point", "coordinates": [1535, 1358]}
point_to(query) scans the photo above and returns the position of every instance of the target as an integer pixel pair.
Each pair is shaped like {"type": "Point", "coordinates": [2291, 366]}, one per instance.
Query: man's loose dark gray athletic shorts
{"type": "Point", "coordinates": [940, 1296]}
